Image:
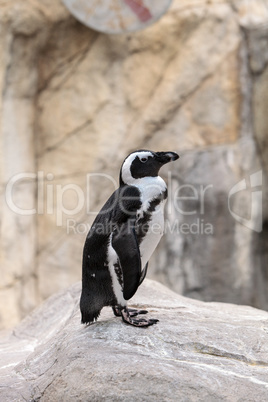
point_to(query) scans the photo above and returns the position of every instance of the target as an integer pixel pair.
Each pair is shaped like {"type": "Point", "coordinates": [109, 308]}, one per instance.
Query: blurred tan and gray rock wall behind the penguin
{"type": "Point", "coordinates": [76, 101]}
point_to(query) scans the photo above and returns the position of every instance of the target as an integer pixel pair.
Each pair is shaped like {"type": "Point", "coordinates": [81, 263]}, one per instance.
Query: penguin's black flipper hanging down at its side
{"type": "Point", "coordinates": [125, 243]}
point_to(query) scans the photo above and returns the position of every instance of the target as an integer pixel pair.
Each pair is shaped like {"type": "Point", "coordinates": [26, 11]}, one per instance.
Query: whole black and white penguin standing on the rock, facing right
{"type": "Point", "coordinates": [123, 237]}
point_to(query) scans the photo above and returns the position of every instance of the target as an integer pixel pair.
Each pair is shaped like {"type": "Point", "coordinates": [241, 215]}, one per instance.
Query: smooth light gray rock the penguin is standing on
{"type": "Point", "coordinates": [197, 351]}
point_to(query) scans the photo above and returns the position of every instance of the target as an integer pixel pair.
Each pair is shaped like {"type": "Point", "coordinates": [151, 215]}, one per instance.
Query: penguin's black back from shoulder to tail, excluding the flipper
{"type": "Point", "coordinates": [97, 290]}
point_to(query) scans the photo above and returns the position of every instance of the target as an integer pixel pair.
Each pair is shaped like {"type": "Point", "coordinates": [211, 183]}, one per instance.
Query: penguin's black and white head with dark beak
{"type": "Point", "coordinates": [144, 163]}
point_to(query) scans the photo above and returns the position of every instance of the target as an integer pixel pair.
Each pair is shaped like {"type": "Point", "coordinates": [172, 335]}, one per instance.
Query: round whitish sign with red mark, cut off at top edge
{"type": "Point", "coordinates": [117, 16]}
